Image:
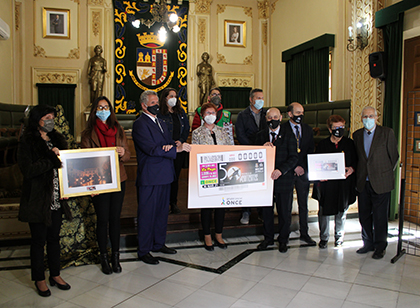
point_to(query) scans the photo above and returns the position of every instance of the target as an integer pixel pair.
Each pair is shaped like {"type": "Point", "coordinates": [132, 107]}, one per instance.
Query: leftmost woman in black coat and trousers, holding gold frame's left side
{"type": "Point", "coordinates": [40, 203]}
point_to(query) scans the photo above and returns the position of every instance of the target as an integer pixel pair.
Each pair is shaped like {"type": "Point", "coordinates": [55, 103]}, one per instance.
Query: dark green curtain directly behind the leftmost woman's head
{"type": "Point", "coordinates": [58, 94]}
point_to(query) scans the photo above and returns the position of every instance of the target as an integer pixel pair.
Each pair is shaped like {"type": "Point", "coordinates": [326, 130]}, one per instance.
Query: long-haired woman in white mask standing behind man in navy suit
{"type": "Point", "coordinates": [171, 112]}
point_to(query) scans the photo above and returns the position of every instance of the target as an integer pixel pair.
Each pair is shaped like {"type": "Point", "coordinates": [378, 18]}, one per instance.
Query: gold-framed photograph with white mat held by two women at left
{"type": "Point", "coordinates": [89, 171]}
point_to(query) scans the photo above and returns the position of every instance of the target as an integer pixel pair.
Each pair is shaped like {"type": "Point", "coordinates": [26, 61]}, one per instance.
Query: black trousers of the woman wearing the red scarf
{"type": "Point", "coordinates": [108, 212]}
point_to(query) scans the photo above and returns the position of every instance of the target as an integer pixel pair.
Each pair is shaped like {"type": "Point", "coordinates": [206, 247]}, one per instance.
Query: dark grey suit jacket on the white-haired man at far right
{"type": "Point", "coordinates": [382, 160]}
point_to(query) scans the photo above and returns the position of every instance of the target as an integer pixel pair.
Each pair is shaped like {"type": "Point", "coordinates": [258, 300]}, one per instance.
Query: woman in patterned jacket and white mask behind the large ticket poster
{"type": "Point", "coordinates": [211, 134]}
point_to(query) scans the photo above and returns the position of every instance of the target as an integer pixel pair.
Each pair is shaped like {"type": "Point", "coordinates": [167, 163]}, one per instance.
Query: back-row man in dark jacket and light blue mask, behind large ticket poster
{"type": "Point", "coordinates": [249, 122]}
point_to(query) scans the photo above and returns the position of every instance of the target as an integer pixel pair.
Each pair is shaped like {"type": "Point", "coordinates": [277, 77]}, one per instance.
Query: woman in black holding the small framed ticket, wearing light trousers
{"type": "Point", "coordinates": [335, 196]}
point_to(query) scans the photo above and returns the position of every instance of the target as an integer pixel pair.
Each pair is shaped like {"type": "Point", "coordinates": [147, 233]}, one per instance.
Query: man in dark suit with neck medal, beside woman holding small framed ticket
{"type": "Point", "coordinates": [305, 145]}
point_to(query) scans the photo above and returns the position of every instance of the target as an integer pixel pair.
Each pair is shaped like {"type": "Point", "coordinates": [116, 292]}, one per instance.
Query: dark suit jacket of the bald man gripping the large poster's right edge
{"type": "Point", "coordinates": [286, 157]}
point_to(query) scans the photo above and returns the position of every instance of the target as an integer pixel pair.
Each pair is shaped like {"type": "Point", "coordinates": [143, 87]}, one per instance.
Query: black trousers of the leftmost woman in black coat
{"type": "Point", "coordinates": [40, 233]}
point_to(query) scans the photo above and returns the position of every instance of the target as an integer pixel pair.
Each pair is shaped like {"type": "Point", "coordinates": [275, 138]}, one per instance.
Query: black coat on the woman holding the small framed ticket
{"type": "Point", "coordinates": [335, 196]}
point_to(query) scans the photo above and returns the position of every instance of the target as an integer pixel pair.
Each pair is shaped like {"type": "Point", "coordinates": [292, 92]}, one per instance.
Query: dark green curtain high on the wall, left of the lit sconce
{"type": "Point", "coordinates": [307, 77]}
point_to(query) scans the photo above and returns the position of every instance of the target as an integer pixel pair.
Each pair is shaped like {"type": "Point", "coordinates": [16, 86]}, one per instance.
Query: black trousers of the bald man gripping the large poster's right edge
{"type": "Point", "coordinates": [284, 211]}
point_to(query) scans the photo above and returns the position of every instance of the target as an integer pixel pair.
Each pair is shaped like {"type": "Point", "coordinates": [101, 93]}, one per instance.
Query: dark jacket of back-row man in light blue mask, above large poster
{"type": "Point", "coordinates": [246, 128]}
